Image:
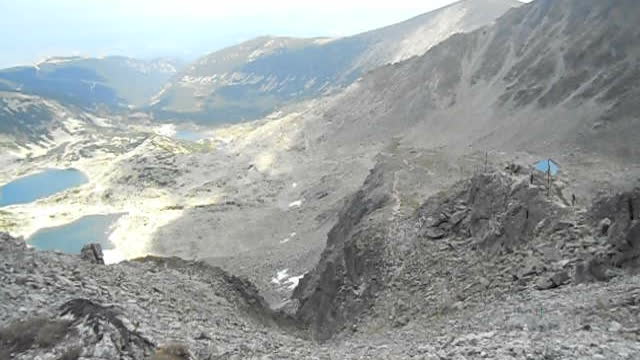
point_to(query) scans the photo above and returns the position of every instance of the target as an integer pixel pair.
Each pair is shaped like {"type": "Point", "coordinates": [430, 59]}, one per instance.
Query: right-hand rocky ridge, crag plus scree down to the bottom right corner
{"type": "Point", "coordinates": [500, 242]}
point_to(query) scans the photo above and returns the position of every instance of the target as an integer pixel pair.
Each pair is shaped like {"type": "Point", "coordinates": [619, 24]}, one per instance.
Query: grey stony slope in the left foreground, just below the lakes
{"type": "Point", "coordinates": [57, 306]}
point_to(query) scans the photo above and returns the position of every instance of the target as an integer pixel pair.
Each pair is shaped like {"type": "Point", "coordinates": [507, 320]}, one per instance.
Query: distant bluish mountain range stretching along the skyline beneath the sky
{"type": "Point", "coordinates": [247, 81]}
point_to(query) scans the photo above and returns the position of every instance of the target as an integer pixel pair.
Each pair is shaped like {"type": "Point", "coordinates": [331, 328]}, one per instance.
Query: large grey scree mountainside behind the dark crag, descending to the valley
{"type": "Point", "coordinates": [473, 99]}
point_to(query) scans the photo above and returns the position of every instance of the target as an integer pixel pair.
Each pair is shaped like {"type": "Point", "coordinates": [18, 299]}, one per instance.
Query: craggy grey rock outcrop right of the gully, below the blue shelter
{"type": "Point", "coordinates": [486, 238]}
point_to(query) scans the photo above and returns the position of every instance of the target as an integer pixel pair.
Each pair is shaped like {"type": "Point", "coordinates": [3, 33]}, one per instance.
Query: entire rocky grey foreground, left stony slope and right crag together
{"type": "Point", "coordinates": [467, 274]}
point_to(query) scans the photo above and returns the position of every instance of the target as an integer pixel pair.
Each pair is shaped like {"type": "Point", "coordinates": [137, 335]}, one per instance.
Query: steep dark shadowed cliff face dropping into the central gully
{"type": "Point", "coordinates": [351, 265]}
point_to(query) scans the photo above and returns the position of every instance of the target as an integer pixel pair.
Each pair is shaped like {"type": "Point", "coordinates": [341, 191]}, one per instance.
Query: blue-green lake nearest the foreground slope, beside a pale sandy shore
{"type": "Point", "coordinates": [70, 238]}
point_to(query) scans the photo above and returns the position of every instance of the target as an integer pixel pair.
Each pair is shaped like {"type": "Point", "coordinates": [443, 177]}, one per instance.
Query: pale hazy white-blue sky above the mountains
{"type": "Point", "coordinates": [35, 29]}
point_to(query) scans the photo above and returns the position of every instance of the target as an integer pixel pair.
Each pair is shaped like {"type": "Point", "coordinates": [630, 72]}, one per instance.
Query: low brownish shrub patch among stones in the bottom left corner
{"type": "Point", "coordinates": [40, 332]}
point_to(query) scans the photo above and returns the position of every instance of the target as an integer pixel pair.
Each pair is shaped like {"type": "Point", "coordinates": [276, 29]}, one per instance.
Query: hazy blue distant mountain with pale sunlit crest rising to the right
{"type": "Point", "coordinates": [252, 79]}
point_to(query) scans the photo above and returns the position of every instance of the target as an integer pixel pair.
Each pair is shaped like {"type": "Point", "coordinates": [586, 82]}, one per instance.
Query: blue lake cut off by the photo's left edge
{"type": "Point", "coordinates": [41, 185]}
